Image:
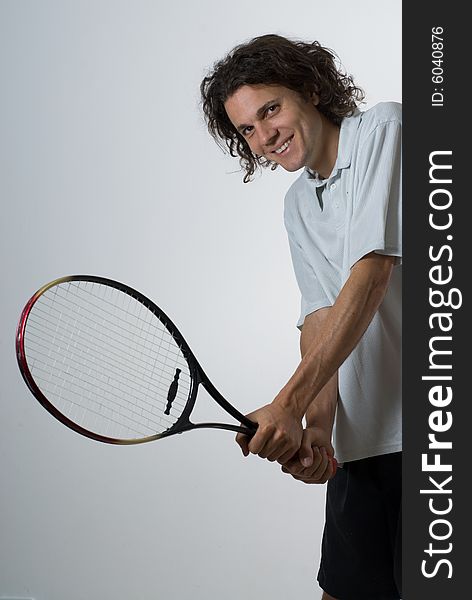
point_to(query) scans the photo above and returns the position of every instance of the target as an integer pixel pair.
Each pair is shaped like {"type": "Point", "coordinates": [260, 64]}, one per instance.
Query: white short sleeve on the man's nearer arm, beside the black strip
{"type": "Point", "coordinates": [376, 206]}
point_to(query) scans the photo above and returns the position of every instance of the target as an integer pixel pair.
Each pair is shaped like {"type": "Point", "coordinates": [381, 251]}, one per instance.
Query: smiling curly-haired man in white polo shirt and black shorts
{"type": "Point", "coordinates": [274, 102]}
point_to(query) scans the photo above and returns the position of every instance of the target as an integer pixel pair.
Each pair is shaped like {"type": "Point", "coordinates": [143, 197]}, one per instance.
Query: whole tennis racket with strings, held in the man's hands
{"type": "Point", "coordinates": [108, 363]}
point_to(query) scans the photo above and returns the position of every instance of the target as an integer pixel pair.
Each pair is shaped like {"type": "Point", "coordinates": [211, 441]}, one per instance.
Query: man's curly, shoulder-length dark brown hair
{"type": "Point", "coordinates": [303, 67]}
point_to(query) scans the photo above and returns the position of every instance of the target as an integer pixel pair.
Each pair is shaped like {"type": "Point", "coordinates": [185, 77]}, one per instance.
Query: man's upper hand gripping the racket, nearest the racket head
{"type": "Point", "coordinates": [278, 436]}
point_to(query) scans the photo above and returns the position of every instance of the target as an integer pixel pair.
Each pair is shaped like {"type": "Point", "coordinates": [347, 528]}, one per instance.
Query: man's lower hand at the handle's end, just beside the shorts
{"type": "Point", "coordinates": [315, 462]}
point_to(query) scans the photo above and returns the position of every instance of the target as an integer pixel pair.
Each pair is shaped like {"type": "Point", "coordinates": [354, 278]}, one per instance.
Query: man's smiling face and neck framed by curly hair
{"type": "Point", "coordinates": [280, 125]}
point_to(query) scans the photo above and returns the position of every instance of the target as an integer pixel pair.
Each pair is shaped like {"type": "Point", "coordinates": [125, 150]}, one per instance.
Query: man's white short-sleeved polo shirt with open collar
{"type": "Point", "coordinates": [331, 224]}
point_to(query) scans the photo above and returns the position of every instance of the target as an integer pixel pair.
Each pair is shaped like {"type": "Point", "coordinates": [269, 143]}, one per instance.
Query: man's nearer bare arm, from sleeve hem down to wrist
{"type": "Point", "coordinates": [338, 334]}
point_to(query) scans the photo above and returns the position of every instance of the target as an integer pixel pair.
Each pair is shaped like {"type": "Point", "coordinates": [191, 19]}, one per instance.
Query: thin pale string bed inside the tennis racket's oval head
{"type": "Point", "coordinates": [105, 361]}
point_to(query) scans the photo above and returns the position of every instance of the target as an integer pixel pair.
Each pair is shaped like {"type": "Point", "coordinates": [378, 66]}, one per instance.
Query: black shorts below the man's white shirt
{"type": "Point", "coordinates": [361, 548]}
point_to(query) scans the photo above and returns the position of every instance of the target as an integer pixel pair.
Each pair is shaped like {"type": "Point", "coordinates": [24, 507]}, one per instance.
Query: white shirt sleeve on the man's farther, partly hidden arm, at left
{"type": "Point", "coordinates": [313, 296]}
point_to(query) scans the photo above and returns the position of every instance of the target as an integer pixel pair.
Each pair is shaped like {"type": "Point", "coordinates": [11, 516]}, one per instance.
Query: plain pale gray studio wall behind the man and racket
{"type": "Point", "coordinates": [106, 168]}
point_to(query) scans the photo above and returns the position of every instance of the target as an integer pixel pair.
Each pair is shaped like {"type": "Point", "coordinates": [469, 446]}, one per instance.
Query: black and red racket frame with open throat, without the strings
{"type": "Point", "coordinates": [197, 375]}
